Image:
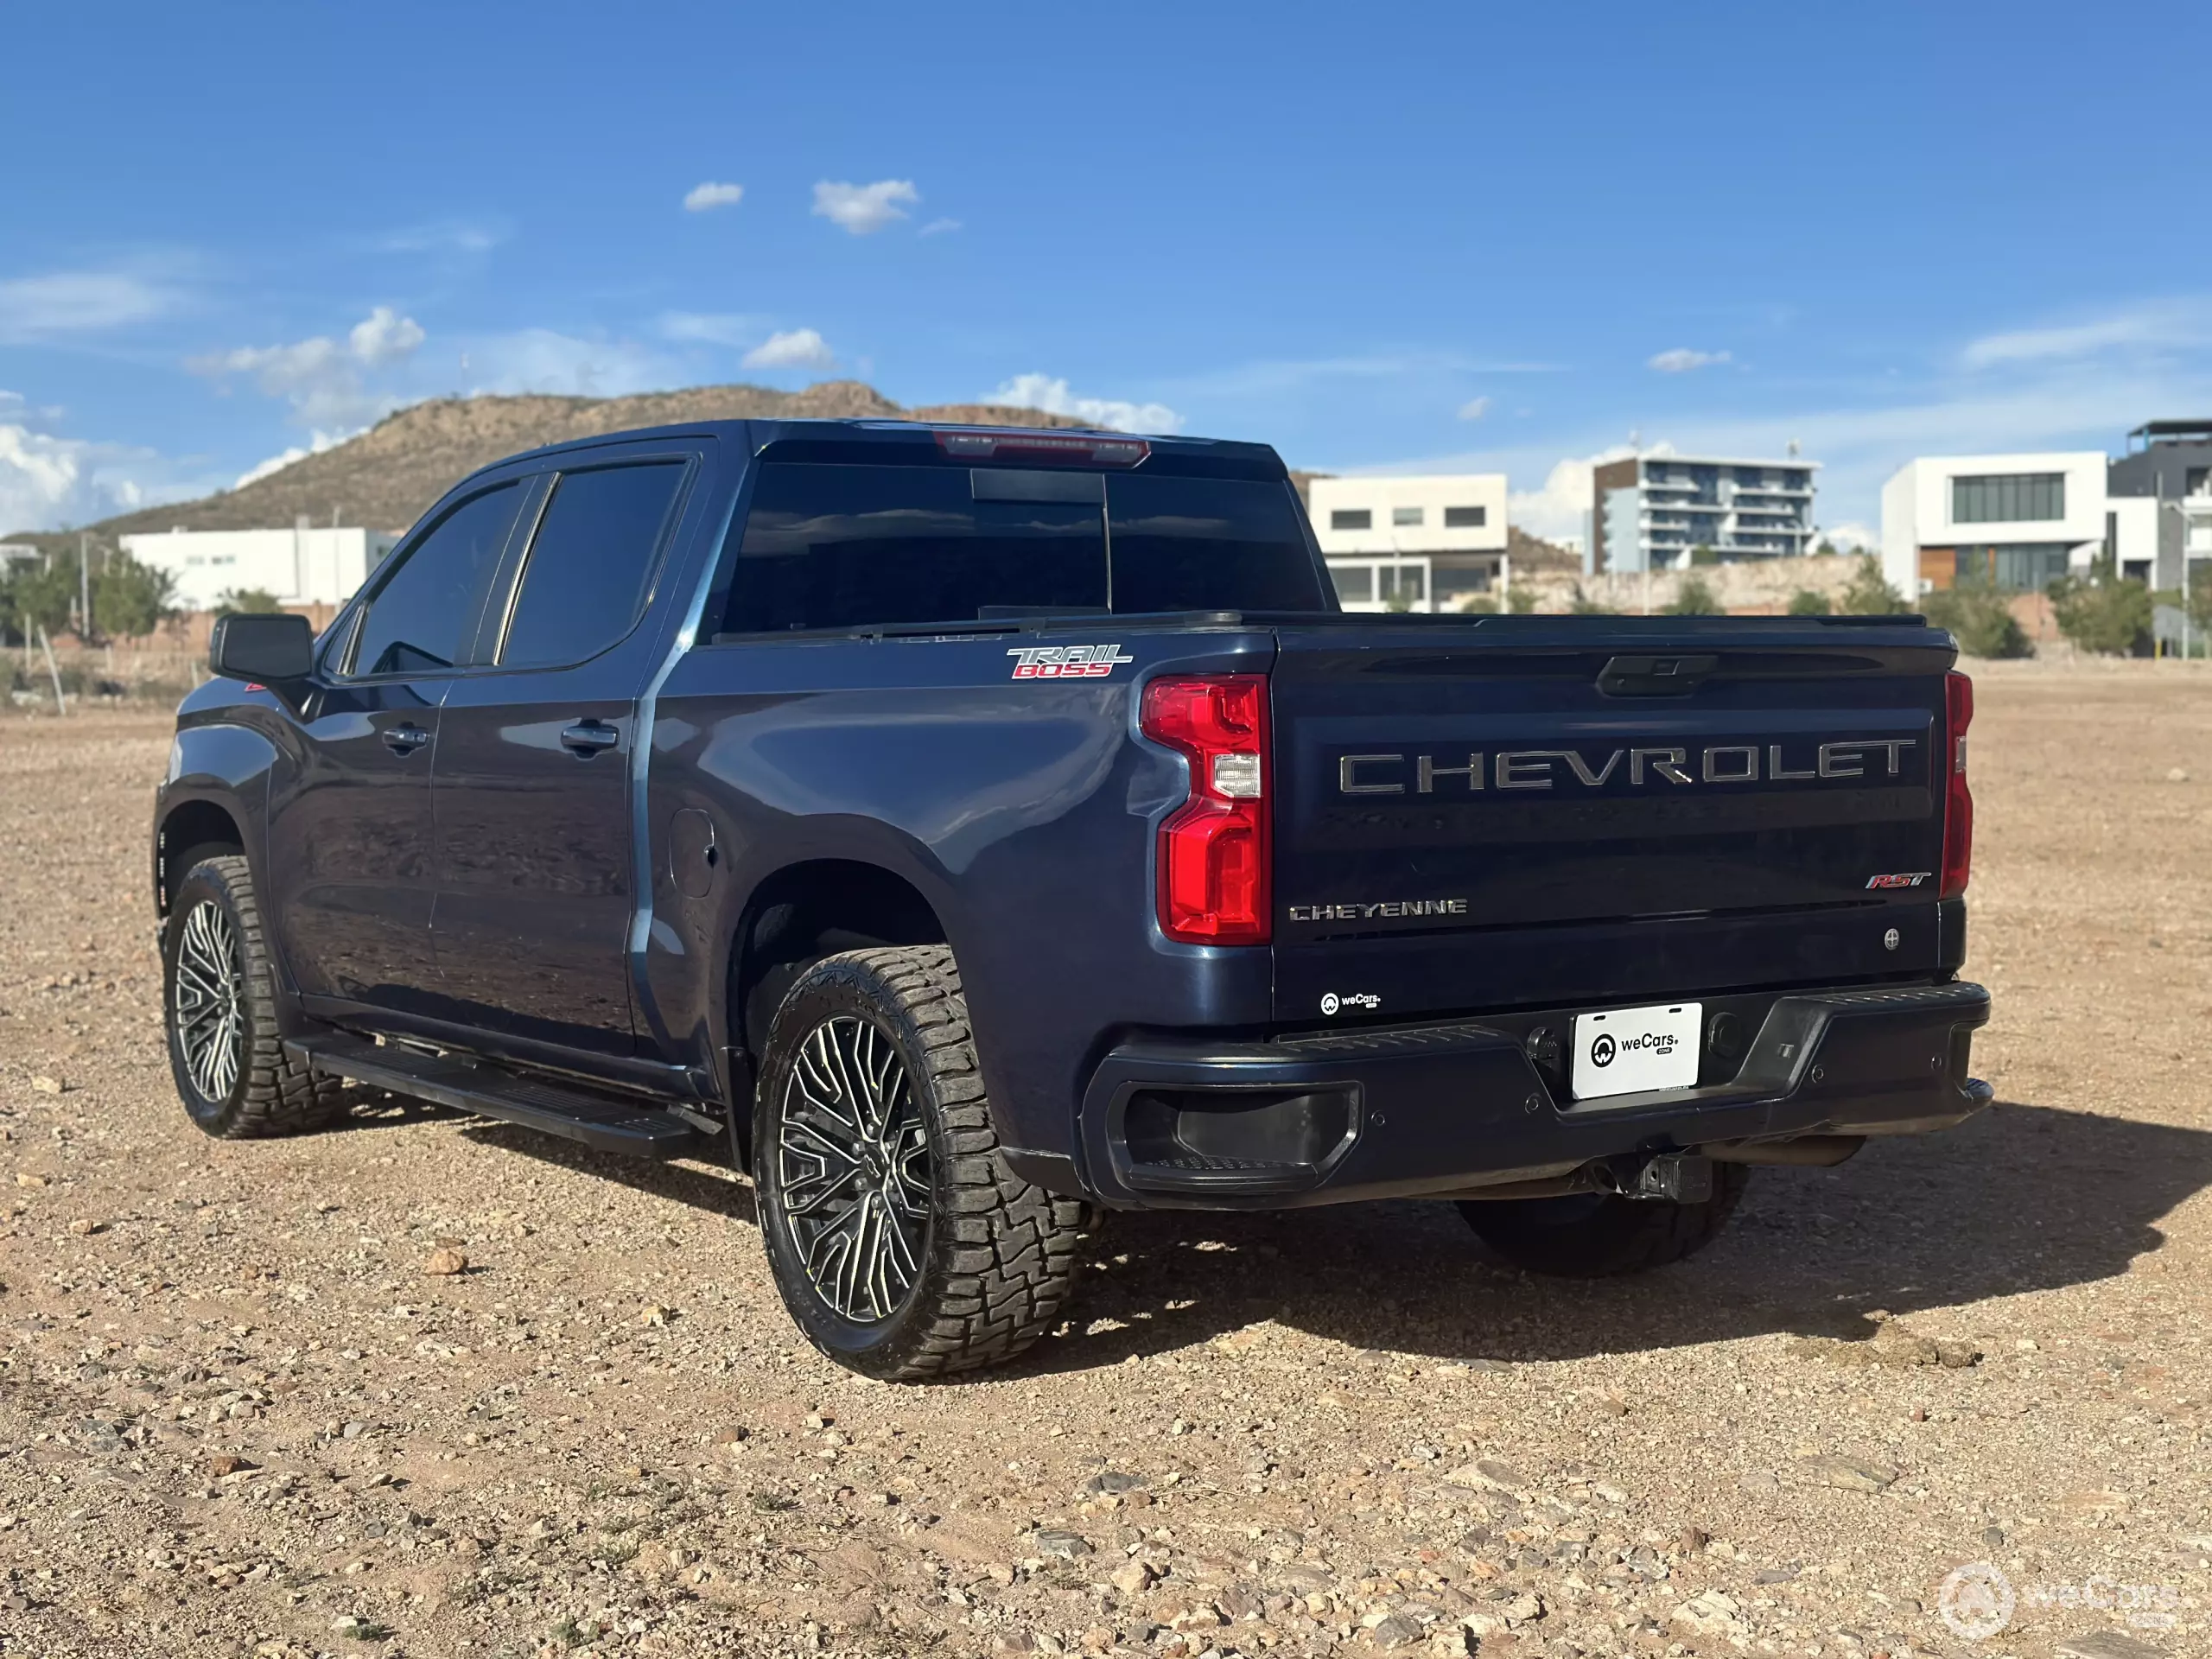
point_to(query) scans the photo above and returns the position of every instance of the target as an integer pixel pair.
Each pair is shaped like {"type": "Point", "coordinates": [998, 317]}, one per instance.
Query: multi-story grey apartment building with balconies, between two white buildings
{"type": "Point", "coordinates": [1653, 512]}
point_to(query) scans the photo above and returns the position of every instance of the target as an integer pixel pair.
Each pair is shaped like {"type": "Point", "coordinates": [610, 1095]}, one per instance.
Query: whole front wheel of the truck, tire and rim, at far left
{"type": "Point", "coordinates": [220, 1008]}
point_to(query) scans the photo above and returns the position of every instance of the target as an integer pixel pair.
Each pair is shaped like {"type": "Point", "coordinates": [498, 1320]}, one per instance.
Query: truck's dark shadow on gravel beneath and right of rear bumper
{"type": "Point", "coordinates": [2023, 1198]}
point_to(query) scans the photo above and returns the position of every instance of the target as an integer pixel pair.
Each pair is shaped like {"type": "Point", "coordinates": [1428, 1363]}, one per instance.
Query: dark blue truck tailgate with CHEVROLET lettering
{"type": "Point", "coordinates": [1545, 813]}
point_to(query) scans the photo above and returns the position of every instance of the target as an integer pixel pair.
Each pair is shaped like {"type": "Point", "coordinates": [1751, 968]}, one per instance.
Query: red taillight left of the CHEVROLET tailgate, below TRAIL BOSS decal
{"type": "Point", "coordinates": [1213, 851]}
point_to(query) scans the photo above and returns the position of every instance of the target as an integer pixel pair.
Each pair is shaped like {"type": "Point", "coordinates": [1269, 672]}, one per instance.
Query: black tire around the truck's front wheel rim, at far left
{"type": "Point", "coordinates": [273, 1092]}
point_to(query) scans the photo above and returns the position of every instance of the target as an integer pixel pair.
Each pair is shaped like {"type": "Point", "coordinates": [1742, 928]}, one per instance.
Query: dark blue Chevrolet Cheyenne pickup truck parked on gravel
{"type": "Point", "coordinates": [977, 831]}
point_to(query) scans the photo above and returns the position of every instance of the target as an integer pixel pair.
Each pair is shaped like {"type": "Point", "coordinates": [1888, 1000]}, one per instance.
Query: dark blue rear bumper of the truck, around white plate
{"type": "Point", "coordinates": [1454, 1109]}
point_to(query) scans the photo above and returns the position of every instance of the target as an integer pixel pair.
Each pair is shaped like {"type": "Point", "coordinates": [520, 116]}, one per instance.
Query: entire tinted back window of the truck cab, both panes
{"type": "Point", "coordinates": [851, 547]}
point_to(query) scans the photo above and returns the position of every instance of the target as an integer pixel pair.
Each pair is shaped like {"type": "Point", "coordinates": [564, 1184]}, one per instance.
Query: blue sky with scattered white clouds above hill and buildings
{"type": "Point", "coordinates": [1379, 238]}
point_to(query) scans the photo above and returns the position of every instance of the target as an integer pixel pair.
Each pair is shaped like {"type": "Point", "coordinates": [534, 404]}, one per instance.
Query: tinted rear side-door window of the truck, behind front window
{"type": "Point", "coordinates": [592, 563]}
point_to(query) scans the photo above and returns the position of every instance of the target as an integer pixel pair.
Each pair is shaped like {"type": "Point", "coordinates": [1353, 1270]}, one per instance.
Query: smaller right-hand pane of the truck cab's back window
{"type": "Point", "coordinates": [1209, 545]}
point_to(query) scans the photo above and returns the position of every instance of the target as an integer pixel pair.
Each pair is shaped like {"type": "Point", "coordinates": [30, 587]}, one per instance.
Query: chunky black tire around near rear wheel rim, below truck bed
{"type": "Point", "coordinates": [999, 1260]}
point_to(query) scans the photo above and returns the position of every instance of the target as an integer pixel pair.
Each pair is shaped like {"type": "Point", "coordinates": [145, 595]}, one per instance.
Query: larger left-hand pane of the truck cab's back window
{"type": "Point", "coordinates": [851, 547]}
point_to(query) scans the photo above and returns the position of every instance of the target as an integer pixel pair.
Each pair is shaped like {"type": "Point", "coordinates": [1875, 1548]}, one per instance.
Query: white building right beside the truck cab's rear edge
{"type": "Point", "coordinates": [1412, 543]}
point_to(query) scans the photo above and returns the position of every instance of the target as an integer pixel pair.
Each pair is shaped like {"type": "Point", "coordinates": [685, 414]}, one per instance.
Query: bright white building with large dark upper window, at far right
{"type": "Point", "coordinates": [2014, 521]}
